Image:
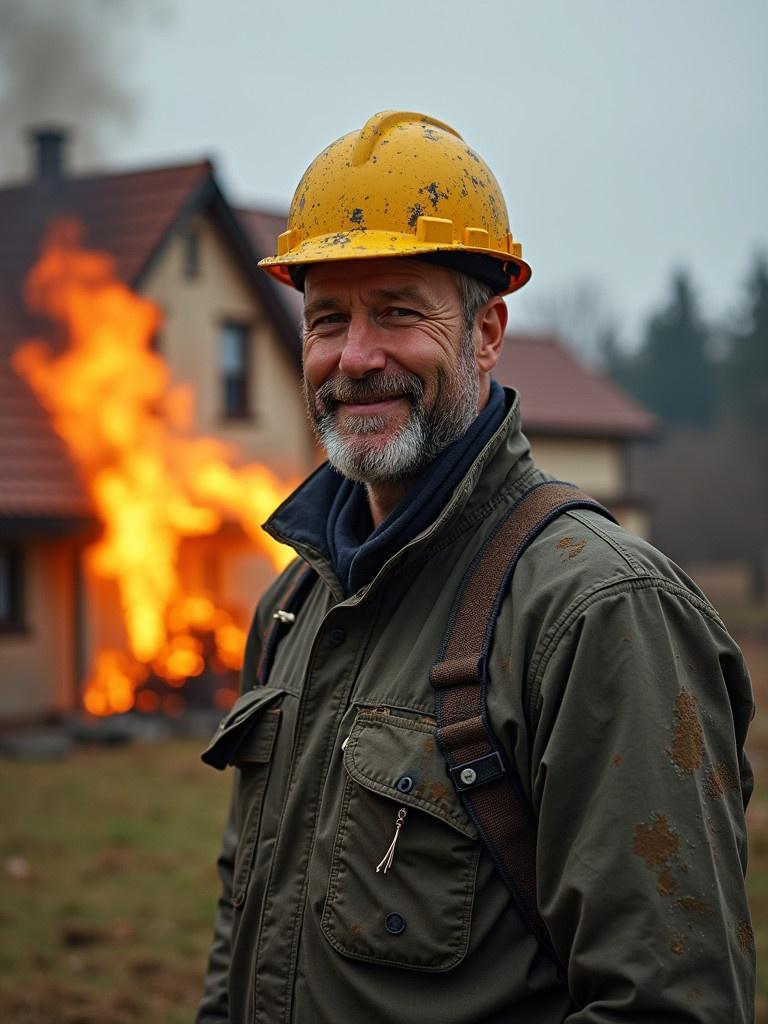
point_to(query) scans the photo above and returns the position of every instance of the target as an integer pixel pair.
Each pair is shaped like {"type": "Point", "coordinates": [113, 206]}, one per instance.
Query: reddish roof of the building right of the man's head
{"type": "Point", "coordinates": [561, 395]}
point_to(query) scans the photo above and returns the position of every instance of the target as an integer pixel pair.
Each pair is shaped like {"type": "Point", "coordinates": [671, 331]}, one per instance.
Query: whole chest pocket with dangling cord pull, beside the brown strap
{"type": "Point", "coordinates": [417, 914]}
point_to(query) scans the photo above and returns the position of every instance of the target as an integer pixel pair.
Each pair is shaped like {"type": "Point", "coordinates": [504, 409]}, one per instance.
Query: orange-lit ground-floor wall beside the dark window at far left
{"type": "Point", "coordinates": [37, 667]}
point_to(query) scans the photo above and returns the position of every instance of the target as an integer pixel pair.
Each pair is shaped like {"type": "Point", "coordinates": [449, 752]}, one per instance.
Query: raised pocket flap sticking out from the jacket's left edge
{"type": "Point", "coordinates": [247, 733]}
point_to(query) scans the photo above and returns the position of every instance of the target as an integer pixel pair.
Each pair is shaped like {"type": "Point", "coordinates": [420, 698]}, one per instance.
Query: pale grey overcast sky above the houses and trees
{"type": "Point", "coordinates": [629, 139]}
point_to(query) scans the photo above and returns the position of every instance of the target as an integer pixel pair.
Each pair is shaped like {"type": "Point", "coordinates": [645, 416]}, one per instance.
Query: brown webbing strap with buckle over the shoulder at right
{"type": "Point", "coordinates": [487, 783]}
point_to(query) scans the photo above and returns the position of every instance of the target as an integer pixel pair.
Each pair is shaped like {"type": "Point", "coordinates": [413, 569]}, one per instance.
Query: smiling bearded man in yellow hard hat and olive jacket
{"type": "Point", "coordinates": [356, 885]}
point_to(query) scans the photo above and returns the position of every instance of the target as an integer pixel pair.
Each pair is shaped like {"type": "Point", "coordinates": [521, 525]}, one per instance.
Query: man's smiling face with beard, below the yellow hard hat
{"type": "Point", "coordinates": [391, 377]}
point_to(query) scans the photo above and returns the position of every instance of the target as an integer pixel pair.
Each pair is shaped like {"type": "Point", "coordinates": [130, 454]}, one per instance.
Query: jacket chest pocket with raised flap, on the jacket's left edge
{"type": "Point", "coordinates": [245, 740]}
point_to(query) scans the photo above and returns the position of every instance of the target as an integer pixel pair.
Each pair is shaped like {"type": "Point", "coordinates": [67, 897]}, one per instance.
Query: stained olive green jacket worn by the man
{"type": "Point", "coordinates": [623, 703]}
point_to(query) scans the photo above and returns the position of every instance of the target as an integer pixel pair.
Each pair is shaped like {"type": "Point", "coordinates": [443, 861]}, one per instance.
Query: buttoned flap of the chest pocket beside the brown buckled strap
{"type": "Point", "coordinates": [400, 758]}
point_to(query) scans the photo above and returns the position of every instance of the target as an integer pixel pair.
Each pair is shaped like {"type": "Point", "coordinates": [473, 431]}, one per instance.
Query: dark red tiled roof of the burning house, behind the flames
{"type": "Point", "coordinates": [132, 217]}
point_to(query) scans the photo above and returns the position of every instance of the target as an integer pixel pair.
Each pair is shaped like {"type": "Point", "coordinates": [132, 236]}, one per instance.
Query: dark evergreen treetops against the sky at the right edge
{"type": "Point", "coordinates": [697, 374]}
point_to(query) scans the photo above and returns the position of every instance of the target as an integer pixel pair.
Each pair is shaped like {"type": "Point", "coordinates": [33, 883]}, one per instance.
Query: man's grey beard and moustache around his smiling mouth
{"type": "Point", "coordinates": [420, 441]}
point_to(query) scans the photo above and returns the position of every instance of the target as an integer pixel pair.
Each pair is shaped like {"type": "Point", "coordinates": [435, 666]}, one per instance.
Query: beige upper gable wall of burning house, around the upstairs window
{"type": "Point", "coordinates": [278, 433]}
